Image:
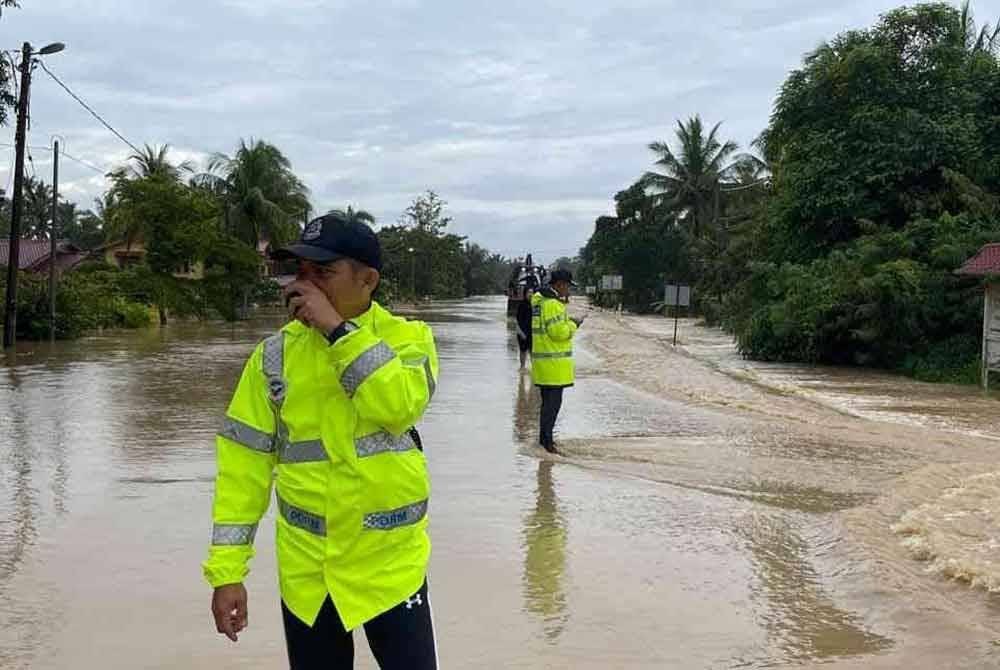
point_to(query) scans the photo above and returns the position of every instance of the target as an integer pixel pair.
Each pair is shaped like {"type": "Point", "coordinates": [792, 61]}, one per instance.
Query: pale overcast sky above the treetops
{"type": "Point", "coordinates": [526, 116]}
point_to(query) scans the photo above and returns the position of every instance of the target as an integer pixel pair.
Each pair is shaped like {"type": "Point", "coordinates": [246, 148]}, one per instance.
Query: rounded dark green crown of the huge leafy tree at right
{"type": "Point", "coordinates": [880, 125]}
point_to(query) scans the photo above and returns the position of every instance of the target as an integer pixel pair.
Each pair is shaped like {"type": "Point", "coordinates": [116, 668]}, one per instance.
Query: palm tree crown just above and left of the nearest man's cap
{"type": "Point", "coordinates": [262, 198]}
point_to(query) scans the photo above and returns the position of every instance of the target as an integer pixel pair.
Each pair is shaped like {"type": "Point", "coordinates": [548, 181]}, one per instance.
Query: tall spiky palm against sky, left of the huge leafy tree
{"type": "Point", "coordinates": [690, 180]}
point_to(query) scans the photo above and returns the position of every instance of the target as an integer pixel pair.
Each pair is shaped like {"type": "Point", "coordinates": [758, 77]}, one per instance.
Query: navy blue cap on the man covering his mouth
{"type": "Point", "coordinates": [332, 237]}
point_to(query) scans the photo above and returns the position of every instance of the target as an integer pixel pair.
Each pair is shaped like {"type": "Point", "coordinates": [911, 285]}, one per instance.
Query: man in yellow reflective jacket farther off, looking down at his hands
{"type": "Point", "coordinates": [552, 367]}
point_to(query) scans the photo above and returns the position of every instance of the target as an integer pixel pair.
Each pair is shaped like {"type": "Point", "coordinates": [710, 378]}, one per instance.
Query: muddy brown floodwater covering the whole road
{"type": "Point", "coordinates": [708, 513]}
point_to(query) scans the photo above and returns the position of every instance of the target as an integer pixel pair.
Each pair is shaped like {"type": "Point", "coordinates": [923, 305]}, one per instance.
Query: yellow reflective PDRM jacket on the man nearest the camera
{"type": "Point", "coordinates": [336, 424]}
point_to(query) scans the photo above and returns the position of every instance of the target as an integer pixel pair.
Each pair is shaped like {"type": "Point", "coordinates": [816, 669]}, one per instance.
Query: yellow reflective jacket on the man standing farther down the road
{"type": "Point", "coordinates": [551, 341]}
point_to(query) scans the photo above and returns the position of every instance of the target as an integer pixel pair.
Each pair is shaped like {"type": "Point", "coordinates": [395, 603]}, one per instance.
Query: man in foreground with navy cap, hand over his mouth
{"type": "Point", "coordinates": [326, 410]}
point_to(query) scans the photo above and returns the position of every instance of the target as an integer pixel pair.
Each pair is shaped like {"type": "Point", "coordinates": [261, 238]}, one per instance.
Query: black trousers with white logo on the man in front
{"type": "Point", "coordinates": [400, 639]}
